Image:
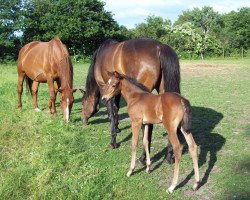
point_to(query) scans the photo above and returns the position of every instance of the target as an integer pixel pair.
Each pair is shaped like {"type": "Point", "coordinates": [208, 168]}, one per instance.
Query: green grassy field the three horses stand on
{"type": "Point", "coordinates": [44, 158]}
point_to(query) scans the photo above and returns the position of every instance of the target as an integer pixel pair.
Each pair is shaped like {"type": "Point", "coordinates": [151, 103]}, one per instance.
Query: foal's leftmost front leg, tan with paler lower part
{"type": "Point", "coordinates": [135, 135]}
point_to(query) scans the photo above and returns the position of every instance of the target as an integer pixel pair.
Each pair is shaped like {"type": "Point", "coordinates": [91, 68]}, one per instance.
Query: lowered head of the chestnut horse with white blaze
{"type": "Point", "coordinates": [66, 101]}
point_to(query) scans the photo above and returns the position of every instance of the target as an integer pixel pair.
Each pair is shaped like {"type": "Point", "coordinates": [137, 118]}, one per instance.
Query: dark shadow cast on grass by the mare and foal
{"type": "Point", "coordinates": [203, 123]}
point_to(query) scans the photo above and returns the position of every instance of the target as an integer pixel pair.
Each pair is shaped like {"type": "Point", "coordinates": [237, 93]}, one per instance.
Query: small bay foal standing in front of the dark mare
{"type": "Point", "coordinates": [146, 108]}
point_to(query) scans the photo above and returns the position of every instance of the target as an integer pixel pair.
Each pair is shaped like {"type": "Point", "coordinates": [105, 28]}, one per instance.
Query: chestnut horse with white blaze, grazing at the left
{"type": "Point", "coordinates": [47, 62]}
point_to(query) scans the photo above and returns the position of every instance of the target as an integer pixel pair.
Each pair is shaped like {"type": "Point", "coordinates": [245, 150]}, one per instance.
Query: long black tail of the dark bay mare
{"type": "Point", "coordinates": [171, 69]}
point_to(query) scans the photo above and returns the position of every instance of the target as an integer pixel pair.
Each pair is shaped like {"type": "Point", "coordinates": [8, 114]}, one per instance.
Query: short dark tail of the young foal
{"type": "Point", "coordinates": [186, 123]}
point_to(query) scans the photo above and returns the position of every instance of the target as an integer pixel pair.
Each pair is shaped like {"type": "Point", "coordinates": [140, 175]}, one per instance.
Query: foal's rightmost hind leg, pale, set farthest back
{"type": "Point", "coordinates": [193, 152]}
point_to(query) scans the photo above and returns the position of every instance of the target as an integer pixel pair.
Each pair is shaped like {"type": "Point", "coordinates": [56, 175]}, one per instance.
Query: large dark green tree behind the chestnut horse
{"type": "Point", "coordinates": [81, 24]}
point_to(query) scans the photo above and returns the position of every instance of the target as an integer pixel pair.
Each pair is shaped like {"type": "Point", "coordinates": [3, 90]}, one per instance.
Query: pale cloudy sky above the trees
{"type": "Point", "coordinates": [131, 12]}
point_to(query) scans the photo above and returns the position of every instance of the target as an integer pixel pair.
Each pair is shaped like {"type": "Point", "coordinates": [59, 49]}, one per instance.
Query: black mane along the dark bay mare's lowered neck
{"type": "Point", "coordinates": [90, 81]}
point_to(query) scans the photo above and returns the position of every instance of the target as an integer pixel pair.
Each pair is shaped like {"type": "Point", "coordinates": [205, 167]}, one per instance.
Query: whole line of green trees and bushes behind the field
{"type": "Point", "coordinates": [84, 24]}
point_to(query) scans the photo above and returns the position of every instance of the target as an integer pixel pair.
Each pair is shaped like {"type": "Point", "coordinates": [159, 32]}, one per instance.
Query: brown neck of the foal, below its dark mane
{"type": "Point", "coordinates": [129, 90]}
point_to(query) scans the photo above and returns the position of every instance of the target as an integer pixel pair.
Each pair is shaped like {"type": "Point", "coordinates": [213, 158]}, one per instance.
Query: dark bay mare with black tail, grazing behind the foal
{"type": "Point", "coordinates": [151, 63]}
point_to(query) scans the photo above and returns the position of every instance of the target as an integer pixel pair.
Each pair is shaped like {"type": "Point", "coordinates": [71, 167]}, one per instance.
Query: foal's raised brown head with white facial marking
{"type": "Point", "coordinates": [112, 87]}
